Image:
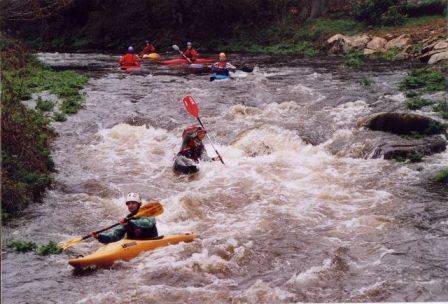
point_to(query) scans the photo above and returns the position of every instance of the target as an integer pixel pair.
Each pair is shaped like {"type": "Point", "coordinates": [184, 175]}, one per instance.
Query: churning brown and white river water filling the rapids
{"type": "Point", "coordinates": [283, 221]}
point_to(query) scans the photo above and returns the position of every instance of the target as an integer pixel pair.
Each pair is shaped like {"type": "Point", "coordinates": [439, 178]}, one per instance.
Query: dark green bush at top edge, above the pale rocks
{"type": "Point", "coordinates": [379, 12]}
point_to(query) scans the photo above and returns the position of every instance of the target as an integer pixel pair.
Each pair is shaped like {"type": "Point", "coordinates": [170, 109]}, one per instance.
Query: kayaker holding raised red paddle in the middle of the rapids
{"type": "Point", "coordinates": [191, 151]}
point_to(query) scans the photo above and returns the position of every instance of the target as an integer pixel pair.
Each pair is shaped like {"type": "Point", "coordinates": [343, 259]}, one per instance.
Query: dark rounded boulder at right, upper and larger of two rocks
{"type": "Point", "coordinates": [401, 123]}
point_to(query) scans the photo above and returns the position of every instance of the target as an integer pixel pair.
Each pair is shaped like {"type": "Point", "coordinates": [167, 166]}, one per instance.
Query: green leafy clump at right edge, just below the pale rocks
{"type": "Point", "coordinates": [425, 80]}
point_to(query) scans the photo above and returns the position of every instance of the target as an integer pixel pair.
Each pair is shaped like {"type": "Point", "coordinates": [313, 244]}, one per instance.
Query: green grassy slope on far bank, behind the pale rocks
{"type": "Point", "coordinates": [308, 38]}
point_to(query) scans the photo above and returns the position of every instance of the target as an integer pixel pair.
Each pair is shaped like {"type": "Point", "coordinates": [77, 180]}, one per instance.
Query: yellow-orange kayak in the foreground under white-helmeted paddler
{"type": "Point", "coordinates": [127, 249]}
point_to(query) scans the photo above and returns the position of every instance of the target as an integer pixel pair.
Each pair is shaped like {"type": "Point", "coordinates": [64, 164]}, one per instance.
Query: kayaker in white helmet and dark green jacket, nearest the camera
{"type": "Point", "coordinates": [137, 229]}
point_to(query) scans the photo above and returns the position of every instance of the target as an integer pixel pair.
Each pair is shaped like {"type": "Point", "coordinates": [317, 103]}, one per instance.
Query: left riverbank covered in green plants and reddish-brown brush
{"type": "Point", "coordinates": [27, 133]}
